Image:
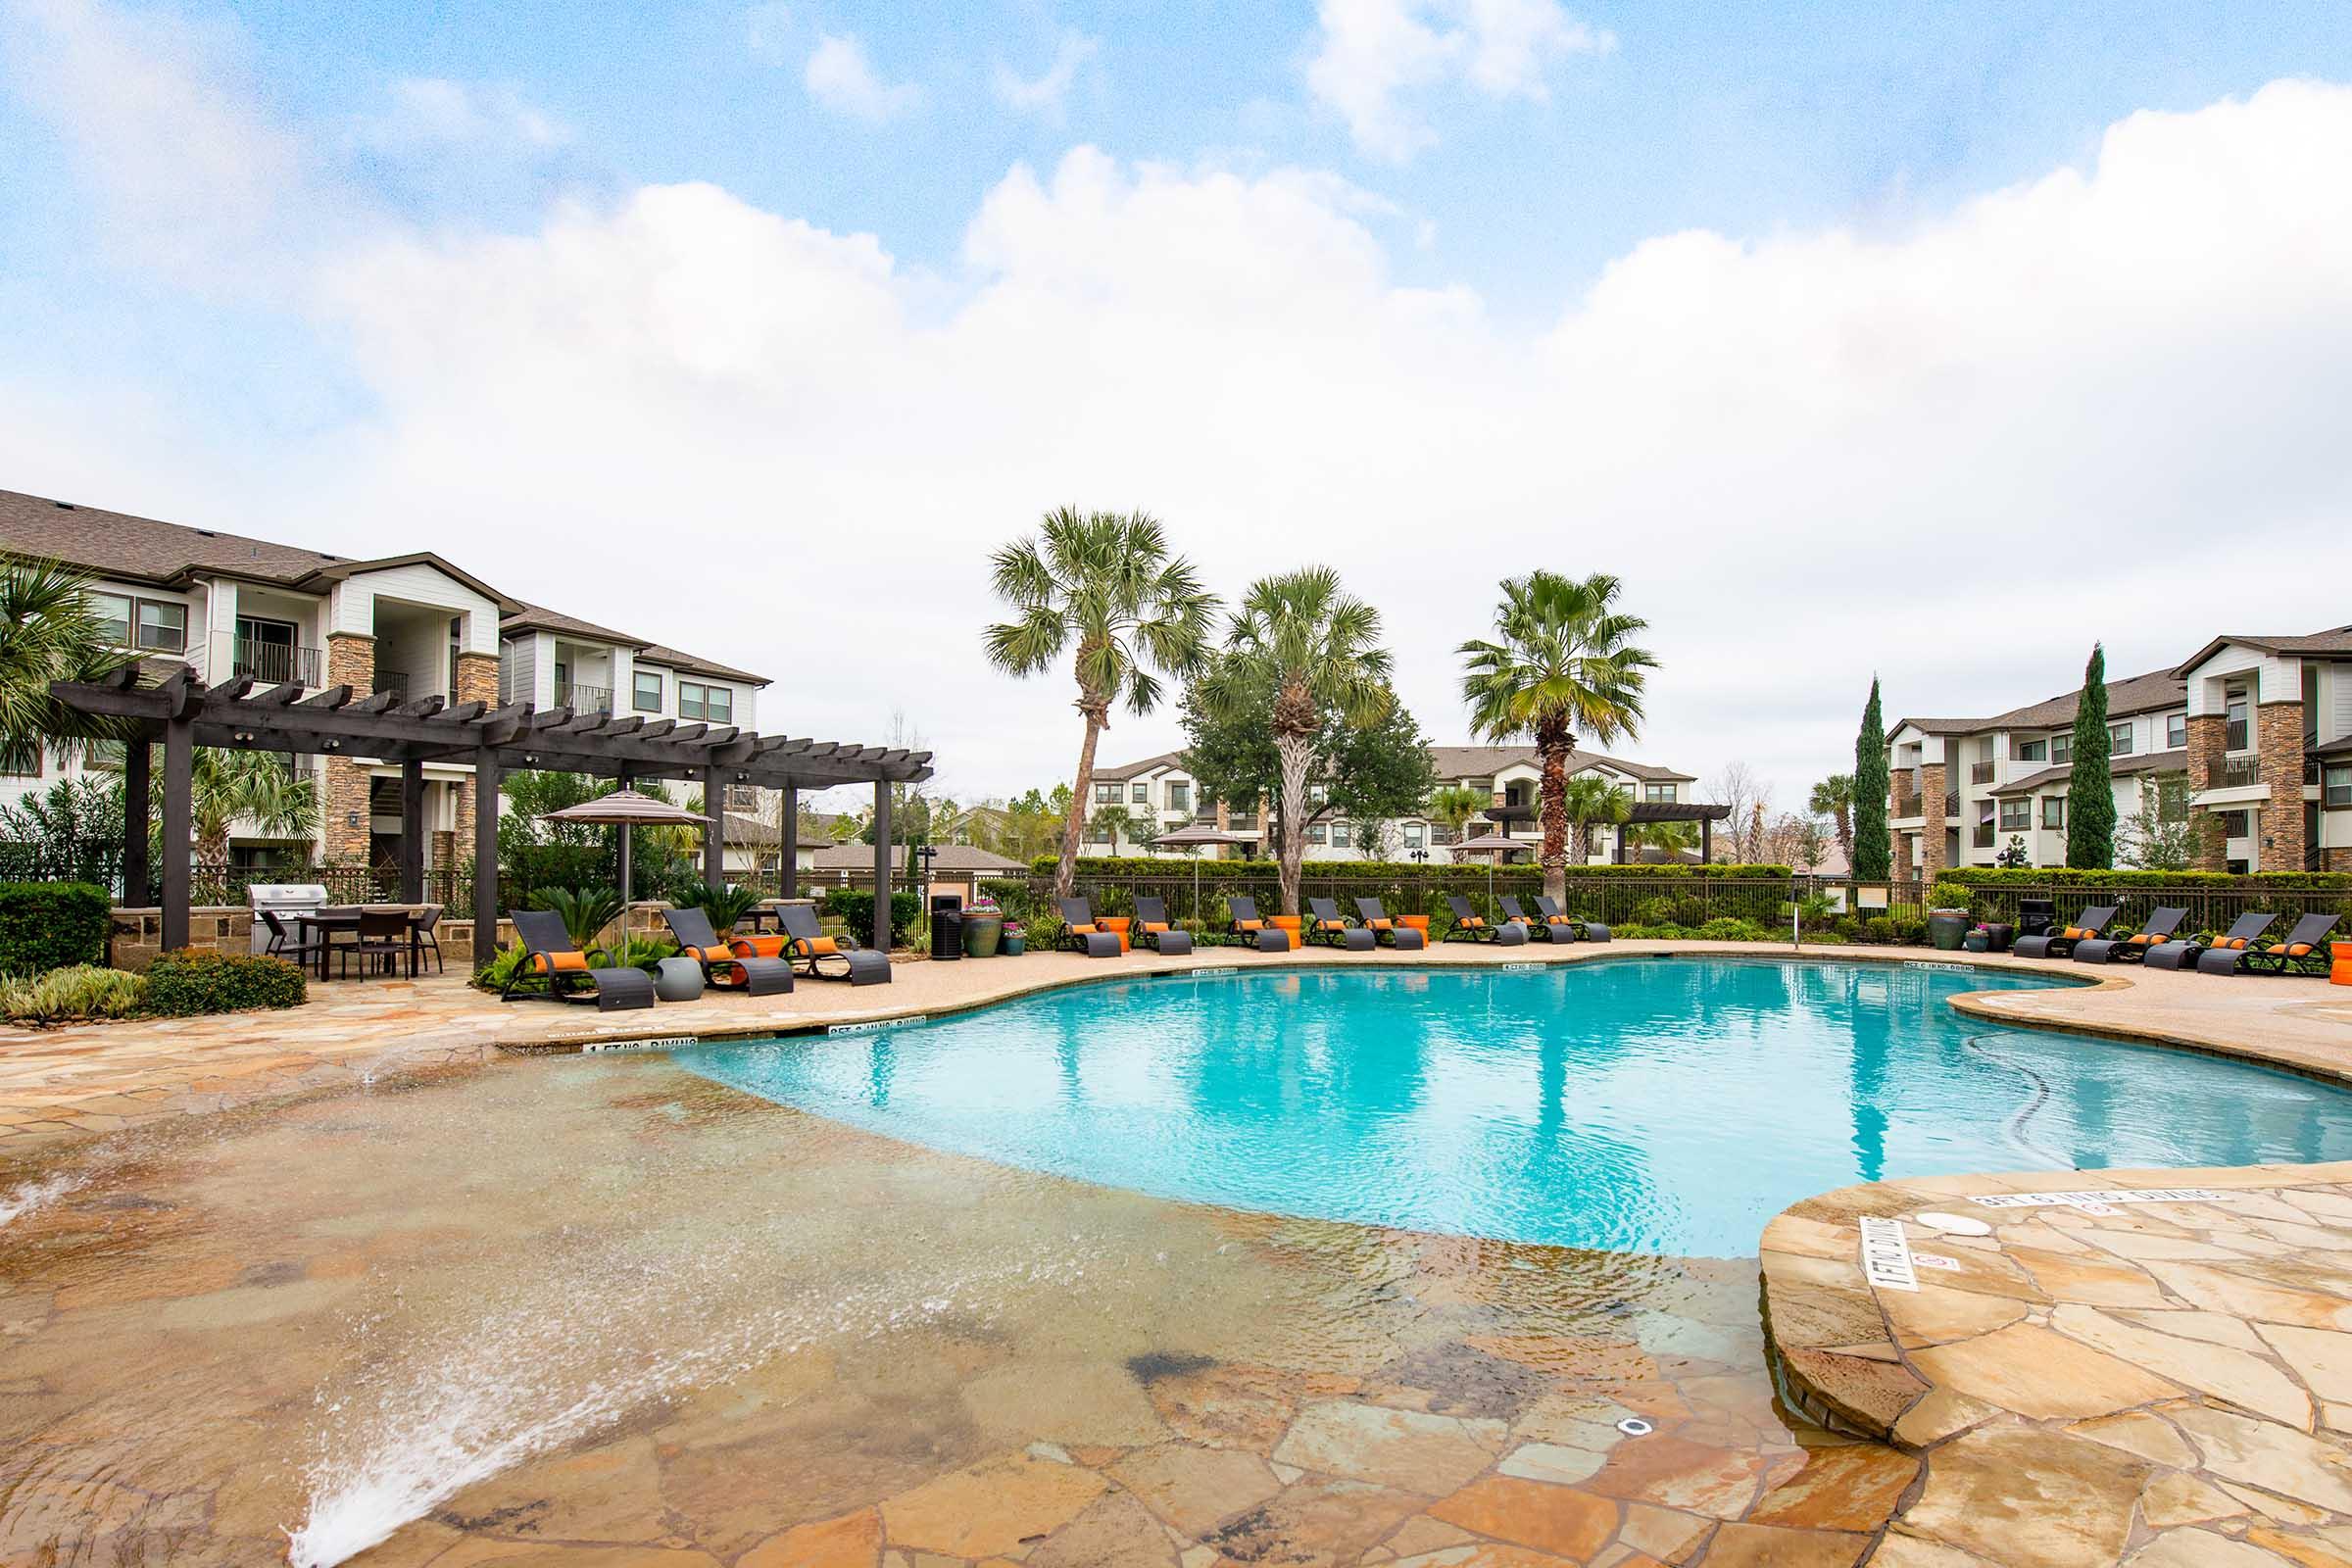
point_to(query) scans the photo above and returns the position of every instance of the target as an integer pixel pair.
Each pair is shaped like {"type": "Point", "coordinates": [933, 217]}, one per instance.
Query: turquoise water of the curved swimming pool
{"type": "Point", "coordinates": [1636, 1106]}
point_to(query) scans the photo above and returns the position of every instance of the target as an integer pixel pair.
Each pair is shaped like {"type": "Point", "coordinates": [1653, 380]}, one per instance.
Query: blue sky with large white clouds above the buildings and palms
{"type": "Point", "coordinates": [1920, 342]}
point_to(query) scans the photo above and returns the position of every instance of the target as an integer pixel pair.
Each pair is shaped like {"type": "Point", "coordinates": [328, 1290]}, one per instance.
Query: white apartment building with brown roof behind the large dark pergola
{"type": "Point", "coordinates": [408, 624]}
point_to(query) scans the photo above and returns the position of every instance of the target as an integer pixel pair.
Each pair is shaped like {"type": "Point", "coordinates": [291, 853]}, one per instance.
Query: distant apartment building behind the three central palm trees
{"type": "Point", "coordinates": [1161, 796]}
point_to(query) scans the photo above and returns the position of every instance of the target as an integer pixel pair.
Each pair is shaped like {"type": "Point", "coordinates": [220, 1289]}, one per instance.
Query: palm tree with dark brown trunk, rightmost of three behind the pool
{"type": "Point", "coordinates": [1563, 662]}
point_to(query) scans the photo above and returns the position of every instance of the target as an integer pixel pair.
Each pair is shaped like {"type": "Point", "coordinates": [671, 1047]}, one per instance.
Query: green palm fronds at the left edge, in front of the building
{"type": "Point", "coordinates": [48, 634]}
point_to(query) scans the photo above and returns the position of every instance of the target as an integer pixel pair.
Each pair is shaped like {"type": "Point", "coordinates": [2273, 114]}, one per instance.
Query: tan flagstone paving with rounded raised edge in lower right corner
{"type": "Point", "coordinates": [2163, 1383]}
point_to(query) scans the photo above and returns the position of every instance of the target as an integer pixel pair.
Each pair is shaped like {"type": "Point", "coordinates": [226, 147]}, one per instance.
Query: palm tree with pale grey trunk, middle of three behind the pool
{"type": "Point", "coordinates": [1321, 655]}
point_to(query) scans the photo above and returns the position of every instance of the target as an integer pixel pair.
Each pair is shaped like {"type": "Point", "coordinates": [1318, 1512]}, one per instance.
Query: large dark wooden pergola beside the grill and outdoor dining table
{"type": "Point", "coordinates": [495, 742]}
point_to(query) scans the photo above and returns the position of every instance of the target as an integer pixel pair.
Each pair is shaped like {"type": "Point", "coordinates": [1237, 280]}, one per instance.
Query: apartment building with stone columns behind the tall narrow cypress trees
{"type": "Point", "coordinates": [2252, 735]}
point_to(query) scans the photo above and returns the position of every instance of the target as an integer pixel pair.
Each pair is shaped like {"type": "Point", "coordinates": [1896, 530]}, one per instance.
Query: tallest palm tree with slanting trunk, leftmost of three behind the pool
{"type": "Point", "coordinates": [1109, 587]}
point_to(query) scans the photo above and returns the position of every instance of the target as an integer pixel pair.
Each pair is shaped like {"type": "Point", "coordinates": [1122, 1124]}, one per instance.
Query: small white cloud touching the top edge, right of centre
{"type": "Point", "coordinates": [1375, 53]}
